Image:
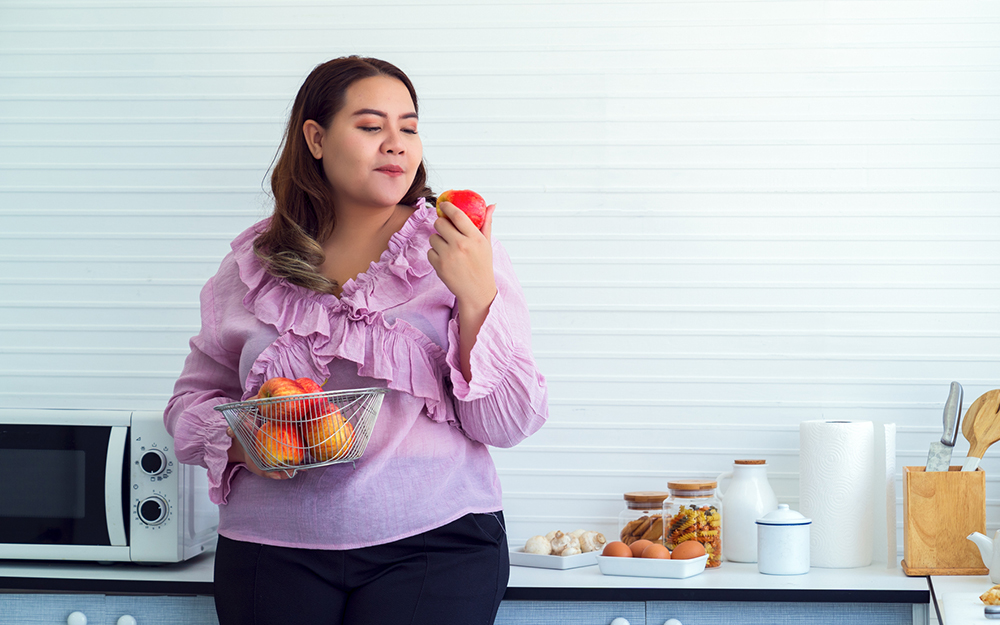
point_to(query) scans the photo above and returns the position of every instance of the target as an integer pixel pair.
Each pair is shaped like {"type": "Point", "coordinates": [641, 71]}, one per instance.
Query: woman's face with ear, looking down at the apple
{"type": "Point", "coordinates": [371, 150]}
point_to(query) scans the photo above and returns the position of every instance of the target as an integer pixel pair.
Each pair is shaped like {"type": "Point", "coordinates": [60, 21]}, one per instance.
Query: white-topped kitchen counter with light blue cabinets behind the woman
{"type": "Point", "coordinates": [47, 593]}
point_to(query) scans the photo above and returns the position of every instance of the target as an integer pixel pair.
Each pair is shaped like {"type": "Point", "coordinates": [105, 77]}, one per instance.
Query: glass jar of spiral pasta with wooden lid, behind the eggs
{"type": "Point", "coordinates": [692, 512]}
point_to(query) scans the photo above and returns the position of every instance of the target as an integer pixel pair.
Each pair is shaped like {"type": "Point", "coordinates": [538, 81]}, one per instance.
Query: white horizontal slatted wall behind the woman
{"type": "Point", "coordinates": [728, 216]}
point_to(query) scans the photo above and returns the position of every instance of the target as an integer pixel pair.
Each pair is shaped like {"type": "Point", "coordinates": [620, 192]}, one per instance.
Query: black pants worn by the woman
{"type": "Point", "coordinates": [453, 574]}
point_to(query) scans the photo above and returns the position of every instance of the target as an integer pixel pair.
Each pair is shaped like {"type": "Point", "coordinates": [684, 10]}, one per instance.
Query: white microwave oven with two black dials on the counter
{"type": "Point", "coordinates": [101, 486]}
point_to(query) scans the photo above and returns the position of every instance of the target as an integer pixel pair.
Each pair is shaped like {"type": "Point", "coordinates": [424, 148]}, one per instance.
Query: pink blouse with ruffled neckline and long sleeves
{"type": "Point", "coordinates": [394, 326]}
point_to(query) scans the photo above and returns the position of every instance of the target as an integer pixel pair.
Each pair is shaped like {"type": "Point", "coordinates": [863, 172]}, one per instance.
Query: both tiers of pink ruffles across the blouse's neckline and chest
{"type": "Point", "coordinates": [316, 328]}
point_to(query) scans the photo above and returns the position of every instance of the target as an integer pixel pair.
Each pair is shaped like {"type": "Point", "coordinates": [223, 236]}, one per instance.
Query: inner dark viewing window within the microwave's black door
{"type": "Point", "coordinates": [43, 483]}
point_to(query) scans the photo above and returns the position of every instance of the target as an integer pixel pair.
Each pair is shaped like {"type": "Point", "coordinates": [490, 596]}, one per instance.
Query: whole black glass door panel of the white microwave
{"type": "Point", "coordinates": [51, 513]}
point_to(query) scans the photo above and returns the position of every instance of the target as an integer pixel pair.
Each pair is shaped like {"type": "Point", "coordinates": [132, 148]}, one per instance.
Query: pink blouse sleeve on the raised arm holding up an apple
{"type": "Point", "coordinates": [507, 399]}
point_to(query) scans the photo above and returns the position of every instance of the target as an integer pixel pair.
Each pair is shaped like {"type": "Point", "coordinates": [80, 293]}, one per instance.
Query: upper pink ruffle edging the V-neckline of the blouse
{"type": "Point", "coordinates": [386, 283]}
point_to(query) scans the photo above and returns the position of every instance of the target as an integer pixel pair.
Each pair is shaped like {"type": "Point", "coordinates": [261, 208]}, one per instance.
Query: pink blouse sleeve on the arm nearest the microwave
{"type": "Point", "coordinates": [209, 378]}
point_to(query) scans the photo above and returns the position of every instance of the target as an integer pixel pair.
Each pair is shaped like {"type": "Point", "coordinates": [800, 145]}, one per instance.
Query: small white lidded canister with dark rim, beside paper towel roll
{"type": "Point", "coordinates": [783, 542]}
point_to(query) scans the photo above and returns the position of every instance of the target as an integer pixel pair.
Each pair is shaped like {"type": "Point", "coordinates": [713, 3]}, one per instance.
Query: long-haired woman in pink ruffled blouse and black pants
{"type": "Point", "coordinates": [355, 280]}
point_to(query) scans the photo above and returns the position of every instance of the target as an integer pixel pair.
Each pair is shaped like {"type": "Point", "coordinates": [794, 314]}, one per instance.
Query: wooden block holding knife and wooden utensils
{"type": "Point", "coordinates": [940, 509]}
